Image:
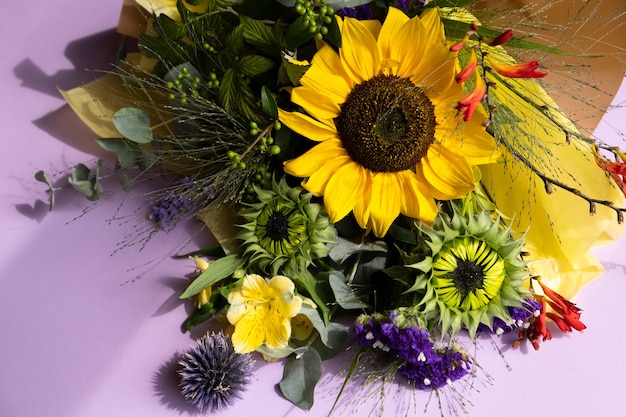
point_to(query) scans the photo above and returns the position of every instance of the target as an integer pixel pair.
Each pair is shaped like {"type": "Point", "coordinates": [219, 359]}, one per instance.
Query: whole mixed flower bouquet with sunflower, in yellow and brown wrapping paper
{"type": "Point", "coordinates": [393, 179]}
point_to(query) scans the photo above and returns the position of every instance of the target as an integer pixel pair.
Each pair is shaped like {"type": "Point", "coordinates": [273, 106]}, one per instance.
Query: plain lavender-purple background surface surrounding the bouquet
{"type": "Point", "coordinates": [76, 341]}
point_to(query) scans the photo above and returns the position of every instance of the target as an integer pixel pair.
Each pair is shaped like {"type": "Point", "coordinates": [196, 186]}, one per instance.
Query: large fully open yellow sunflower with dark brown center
{"type": "Point", "coordinates": [383, 110]}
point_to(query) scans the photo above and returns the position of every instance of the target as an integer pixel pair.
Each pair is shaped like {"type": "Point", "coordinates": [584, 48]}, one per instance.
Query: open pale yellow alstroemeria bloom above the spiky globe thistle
{"type": "Point", "coordinates": [261, 312]}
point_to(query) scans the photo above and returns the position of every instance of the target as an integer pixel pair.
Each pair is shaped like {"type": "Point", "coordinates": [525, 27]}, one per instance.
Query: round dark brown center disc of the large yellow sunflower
{"type": "Point", "coordinates": [387, 124]}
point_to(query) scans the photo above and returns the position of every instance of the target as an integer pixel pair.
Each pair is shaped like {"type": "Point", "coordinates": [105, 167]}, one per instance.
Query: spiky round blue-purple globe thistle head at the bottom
{"type": "Point", "coordinates": [212, 374]}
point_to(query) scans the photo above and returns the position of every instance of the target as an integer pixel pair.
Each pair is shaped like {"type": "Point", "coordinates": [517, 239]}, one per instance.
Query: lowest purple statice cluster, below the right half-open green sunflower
{"type": "Point", "coordinates": [448, 366]}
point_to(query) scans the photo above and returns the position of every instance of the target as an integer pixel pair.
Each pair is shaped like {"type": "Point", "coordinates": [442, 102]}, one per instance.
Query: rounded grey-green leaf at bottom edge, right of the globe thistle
{"type": "Point", "coordinates": [300, 376]}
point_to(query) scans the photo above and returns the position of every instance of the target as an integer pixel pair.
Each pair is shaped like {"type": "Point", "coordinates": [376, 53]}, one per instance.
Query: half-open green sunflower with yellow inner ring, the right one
{"type": "Point", "coordinates": [473, 271]}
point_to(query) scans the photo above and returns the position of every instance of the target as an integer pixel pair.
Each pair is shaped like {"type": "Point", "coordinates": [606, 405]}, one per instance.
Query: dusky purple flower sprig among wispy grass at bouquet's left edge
{"type": "Point", "coordinates": [181, 200]}
